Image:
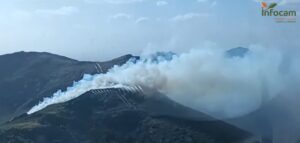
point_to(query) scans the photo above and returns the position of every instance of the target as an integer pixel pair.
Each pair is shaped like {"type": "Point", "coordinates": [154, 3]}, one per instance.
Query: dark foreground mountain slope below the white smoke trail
{"type": "Point", "coordinates": [119, 116]}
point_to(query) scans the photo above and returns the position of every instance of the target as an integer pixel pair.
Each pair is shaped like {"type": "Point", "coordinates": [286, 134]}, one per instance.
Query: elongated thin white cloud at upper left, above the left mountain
{"type": "Point", "coordinates": [65, 10]}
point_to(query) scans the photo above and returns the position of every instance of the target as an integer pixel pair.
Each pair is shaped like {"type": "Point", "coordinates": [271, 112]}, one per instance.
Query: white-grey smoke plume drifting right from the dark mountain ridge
{"type": "Point", "coordinates": [203, 79]}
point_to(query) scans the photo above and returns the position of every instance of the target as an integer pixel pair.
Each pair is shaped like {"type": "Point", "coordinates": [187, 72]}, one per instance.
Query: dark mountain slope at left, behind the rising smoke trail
{"type": "Point", "coordinates": [28, 77]}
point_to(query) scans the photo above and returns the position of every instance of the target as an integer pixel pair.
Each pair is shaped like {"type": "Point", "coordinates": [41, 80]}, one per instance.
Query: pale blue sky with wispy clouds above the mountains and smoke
{"type": "Point", "coordinates": [104, 29]}
